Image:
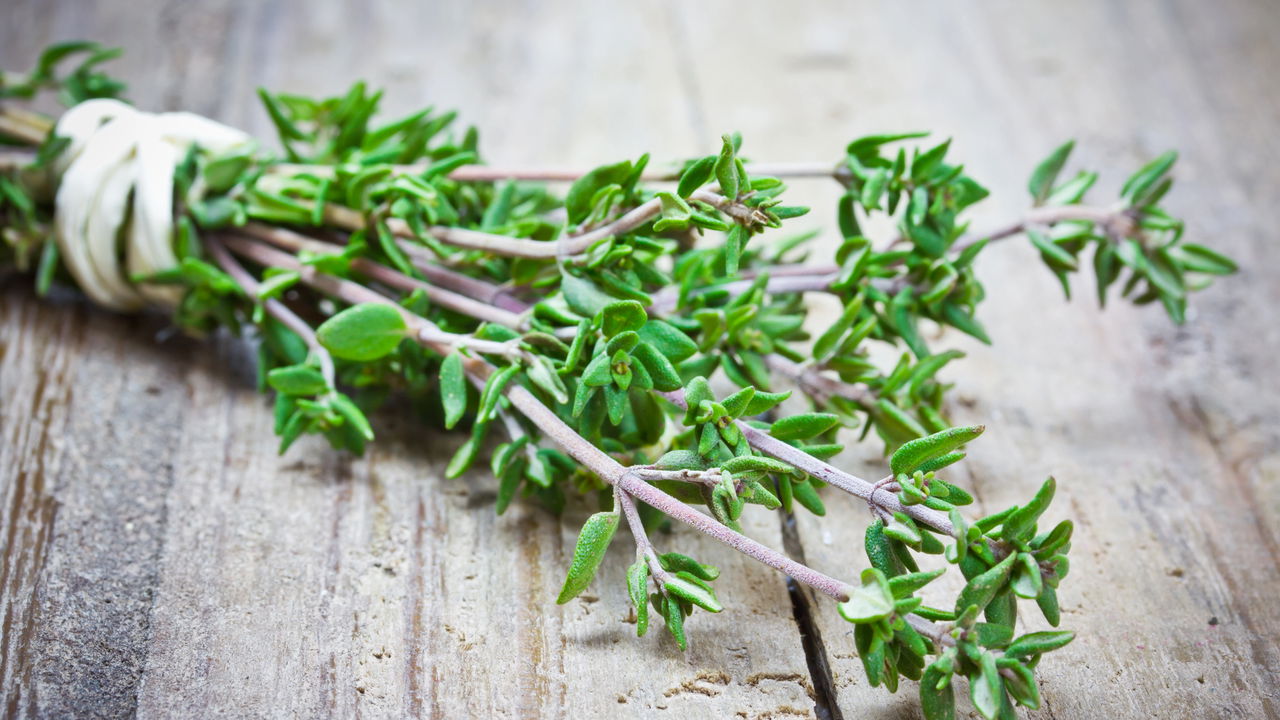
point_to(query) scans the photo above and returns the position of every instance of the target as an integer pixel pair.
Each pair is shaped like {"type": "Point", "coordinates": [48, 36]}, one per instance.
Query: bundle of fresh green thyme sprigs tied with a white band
{"type": "Point", "coordinates": [638, 339]}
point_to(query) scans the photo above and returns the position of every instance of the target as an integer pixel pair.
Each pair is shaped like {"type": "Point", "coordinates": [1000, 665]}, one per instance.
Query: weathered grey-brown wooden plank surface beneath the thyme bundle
{"type": "Point", "coordinates": [161, 559]}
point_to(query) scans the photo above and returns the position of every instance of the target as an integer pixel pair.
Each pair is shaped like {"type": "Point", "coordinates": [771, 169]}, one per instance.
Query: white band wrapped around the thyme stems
{"type": "Point", "coordinates": [117, 154]}
